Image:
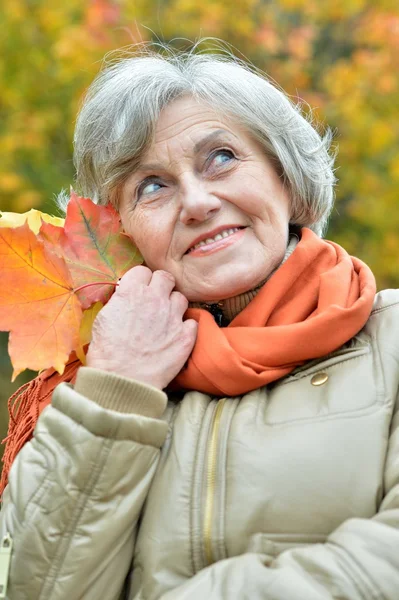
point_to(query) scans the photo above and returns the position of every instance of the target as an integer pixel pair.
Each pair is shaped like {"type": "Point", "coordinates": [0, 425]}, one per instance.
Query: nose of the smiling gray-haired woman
{"type": "Point", "coordinates": [197, 204]}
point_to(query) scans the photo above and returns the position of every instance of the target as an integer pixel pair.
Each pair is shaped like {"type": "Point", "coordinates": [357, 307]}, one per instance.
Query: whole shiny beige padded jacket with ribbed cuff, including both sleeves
{"type": "Point", "coordinates": [290, 492]}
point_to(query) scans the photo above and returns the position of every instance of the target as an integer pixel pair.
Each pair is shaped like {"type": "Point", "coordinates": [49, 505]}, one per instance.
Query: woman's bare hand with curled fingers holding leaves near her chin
{"type": "Point", "coordinates": [140, 332]}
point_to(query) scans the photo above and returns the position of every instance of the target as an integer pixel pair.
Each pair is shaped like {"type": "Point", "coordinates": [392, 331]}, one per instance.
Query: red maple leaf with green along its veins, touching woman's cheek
{"type": "Point", "coordinates": [94, 248]}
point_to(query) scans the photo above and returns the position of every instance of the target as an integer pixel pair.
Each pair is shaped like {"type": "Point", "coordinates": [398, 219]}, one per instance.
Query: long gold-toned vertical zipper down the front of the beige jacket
{"type": "Point", "coordinates": [211, 483]}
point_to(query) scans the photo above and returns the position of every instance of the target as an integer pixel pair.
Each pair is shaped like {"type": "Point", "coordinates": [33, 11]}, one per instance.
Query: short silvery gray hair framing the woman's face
{"type": "Point", "coordinates": [118, 118]}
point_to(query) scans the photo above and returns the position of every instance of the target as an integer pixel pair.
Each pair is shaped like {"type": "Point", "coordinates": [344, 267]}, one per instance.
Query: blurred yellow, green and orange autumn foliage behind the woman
{"type": "Point", "coordinates": [339, 56]}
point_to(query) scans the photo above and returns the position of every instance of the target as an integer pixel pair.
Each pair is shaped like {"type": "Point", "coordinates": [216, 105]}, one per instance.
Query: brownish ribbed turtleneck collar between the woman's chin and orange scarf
{"type": "Point", "coordinates": [231, 307]}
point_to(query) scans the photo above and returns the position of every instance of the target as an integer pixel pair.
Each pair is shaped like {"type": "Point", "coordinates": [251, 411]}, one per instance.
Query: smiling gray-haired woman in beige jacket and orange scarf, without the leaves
{"type": "Point", "coordinates": [233, 434]}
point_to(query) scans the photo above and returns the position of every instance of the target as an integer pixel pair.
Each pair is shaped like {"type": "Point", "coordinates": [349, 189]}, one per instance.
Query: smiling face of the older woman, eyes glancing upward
{"type": "Point", "coordinates": [206, 181]}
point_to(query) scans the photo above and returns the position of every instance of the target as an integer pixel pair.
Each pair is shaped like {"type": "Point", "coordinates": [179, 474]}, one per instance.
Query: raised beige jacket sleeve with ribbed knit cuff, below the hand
{"type": "Point", "coordinates": [77, 488]}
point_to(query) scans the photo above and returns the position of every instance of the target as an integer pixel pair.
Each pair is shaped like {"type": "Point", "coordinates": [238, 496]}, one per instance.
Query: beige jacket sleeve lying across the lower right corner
{"type": "Point", "coordinates": [359, 561]}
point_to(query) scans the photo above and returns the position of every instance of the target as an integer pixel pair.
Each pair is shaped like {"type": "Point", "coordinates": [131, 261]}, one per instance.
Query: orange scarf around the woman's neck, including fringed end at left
{"type": "Point", "coordinates": [315, 302]}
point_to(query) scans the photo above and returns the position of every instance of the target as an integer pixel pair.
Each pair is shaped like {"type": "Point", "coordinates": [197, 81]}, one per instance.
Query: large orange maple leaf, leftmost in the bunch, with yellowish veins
{"type": "Point", "coordinates": [37, 302]}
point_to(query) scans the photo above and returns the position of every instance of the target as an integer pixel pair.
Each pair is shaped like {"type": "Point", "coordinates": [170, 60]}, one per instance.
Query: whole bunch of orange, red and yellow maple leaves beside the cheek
{"type": "Point", "coordinates": [55, 277]}
